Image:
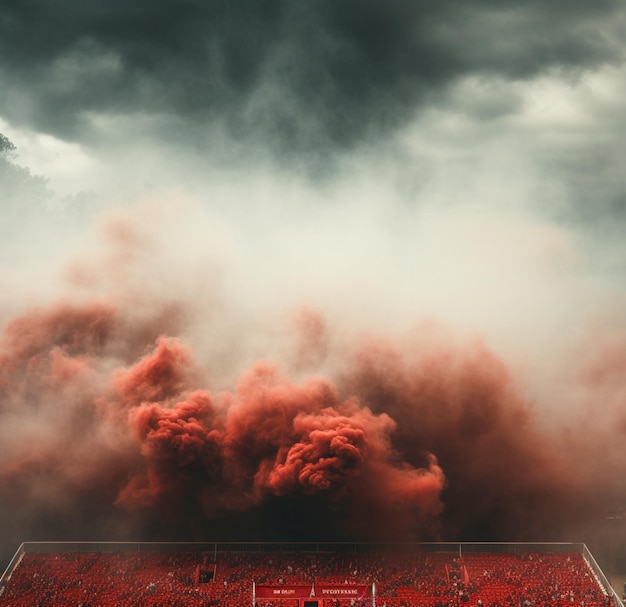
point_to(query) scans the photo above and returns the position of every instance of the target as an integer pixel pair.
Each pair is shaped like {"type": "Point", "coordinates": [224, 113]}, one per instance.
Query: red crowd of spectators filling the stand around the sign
{"type": "Point", "coordinates": [225, 579]}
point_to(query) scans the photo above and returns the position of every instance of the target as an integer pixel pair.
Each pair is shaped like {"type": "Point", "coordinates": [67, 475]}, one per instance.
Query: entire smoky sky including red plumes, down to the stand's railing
{"type": "Point", "coordinates": [312, 271]}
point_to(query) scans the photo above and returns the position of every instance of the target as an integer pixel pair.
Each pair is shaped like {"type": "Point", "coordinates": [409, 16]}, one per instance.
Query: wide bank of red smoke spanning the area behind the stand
{"type": "Point", "coordinates": [109, 427]}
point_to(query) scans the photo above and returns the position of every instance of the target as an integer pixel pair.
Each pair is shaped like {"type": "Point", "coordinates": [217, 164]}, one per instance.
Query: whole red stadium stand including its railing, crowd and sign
{"type": "Point", "coordinates": [302, 575]}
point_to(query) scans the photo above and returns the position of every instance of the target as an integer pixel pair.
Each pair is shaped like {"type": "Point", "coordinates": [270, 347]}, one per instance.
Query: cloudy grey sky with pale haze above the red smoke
{"type": "Point", "coordinates": [388, 165]}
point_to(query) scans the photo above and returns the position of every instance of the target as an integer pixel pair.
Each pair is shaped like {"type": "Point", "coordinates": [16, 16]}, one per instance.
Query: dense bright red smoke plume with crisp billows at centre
{"type": "Point", "coordinates": [269, 437]}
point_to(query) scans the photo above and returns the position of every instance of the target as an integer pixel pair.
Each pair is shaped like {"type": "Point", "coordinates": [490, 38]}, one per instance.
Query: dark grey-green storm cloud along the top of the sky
{"type": "Point", "coordinates": [304, 75]}
